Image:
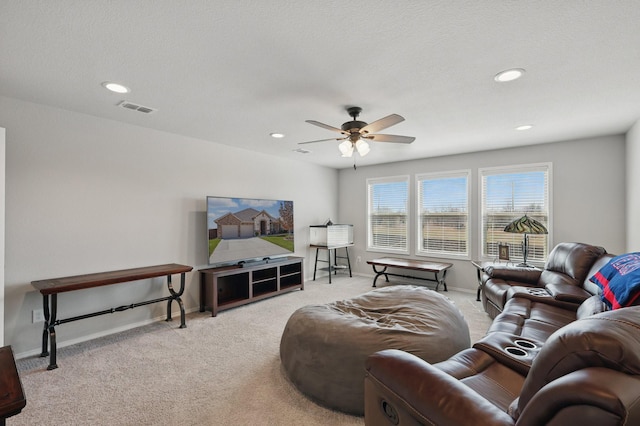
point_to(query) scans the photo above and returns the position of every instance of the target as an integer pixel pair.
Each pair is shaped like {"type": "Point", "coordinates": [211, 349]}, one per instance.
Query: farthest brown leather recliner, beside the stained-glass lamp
{"type": "Point", "coordinates": [563, 277]}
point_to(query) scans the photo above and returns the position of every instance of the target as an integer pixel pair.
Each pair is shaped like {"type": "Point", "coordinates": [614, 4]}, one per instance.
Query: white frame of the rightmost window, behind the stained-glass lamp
{"type": "Point", "coordinates": [546, 167]}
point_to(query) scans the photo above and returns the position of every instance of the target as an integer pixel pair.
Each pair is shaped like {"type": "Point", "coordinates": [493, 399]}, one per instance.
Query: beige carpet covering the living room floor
{"type": "Point", "coordinates": [218, 371]}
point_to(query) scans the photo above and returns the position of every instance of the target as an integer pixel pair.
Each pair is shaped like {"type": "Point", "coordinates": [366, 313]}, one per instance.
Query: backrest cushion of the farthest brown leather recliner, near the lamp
{"type": "Point", "coordinates": [569, 263]}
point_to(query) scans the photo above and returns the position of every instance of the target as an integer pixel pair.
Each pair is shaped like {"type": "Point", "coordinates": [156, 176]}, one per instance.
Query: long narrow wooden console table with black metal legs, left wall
{"type": "Point", "coordinates": [51, 287]}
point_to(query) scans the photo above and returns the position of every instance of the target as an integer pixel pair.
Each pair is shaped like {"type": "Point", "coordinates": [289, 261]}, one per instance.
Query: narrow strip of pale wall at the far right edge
{"type": "Point", "coordinates": [633, 188]}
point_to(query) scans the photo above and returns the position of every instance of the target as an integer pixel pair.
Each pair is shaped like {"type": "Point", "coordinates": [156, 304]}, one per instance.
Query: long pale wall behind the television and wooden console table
{"type": "Point", "coordinates": [86, 195]}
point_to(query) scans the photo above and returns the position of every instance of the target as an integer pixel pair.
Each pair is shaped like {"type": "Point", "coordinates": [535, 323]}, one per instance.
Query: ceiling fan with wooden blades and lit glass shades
{"type": "Point", "coordinates": [357, 133]}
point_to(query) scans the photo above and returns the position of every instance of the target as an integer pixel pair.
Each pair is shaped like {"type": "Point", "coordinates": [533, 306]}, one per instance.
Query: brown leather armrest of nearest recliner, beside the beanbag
{"type": "Point", "coordinates": [401, 385]}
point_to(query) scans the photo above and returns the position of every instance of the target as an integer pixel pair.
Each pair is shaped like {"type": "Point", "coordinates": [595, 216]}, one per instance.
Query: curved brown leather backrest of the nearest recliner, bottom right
{"type": "Point", "coordinates": [610, 340]}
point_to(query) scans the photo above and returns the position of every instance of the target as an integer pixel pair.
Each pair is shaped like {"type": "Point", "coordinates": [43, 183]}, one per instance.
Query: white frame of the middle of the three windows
{"type": "Point", "coordinates": [419, 178]}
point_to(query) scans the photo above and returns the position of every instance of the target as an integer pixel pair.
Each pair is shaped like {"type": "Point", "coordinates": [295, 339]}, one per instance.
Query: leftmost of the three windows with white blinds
{"type": "Point", "coordinates": [387, 209]}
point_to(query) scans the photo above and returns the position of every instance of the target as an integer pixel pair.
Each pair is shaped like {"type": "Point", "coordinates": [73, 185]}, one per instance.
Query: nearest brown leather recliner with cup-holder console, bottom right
{"type": "Point", "coordinates": [586, 373]}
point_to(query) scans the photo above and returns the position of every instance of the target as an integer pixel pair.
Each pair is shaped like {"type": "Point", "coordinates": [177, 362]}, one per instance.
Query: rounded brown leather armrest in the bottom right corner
{"type": "Point", "coordinates": [588, 396]}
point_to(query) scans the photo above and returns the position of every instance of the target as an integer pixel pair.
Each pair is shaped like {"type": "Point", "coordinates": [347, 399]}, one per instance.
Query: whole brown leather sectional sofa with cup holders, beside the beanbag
{"type": "Point", "coordinates": [553, 355]}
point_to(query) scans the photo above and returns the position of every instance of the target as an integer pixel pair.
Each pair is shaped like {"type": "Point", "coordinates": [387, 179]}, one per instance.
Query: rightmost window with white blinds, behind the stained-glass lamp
{"type": "Point", "coordinates": [508, 194]}
